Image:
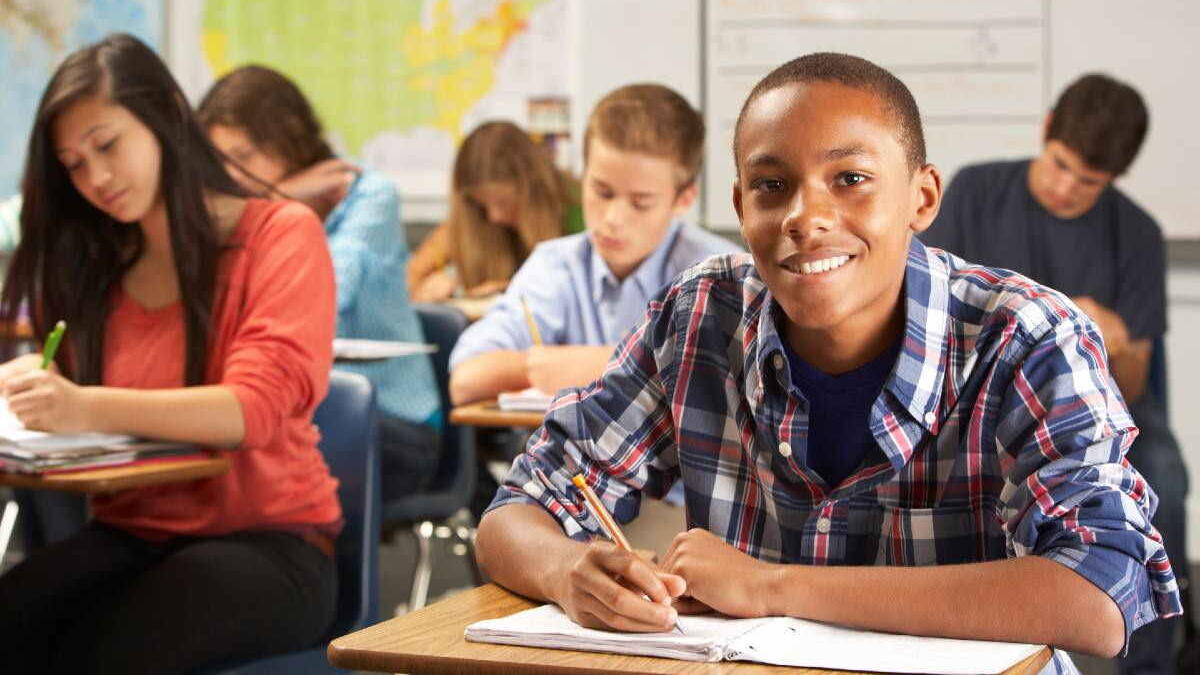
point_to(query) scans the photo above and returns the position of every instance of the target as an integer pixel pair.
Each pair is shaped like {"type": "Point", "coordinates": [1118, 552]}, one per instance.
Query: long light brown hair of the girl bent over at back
{"type": "Point", "coordinates": [501, 152]}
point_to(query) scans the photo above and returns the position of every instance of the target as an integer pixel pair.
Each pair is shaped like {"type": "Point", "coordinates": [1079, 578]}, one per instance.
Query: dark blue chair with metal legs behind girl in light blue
{"type": "Point", "coordinates": [454, 485]}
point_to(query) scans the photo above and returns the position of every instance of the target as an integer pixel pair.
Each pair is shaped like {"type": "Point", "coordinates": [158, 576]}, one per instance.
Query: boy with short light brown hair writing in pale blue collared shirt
{"type": "Point", "coordinates": [644, 148]}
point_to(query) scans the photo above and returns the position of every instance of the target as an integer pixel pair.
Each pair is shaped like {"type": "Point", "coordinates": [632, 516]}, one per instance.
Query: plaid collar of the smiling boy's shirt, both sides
{"type": "Point", "coordinates": [916, 381]}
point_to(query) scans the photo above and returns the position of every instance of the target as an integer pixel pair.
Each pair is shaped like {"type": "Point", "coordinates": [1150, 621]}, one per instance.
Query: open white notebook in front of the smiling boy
{"type": "Point", "coordinates": [776, 641]}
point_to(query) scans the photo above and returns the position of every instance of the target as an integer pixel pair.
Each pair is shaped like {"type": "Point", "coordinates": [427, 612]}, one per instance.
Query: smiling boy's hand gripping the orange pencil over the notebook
{"type": "Point", "coordinates": [609, 589]}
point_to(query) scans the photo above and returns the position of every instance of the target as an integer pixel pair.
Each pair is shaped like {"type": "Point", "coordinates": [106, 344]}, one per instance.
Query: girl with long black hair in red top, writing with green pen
{"type": "Point", "coordinates": [195, 315]}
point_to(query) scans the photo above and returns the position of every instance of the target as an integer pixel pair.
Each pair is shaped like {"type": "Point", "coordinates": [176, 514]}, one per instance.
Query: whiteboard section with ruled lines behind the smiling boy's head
{"type": "Point", "coordinates": [977, 71]}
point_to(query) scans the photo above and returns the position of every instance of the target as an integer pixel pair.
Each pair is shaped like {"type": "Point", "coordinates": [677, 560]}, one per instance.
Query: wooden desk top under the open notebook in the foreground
{"type": "Point", "coordinates": [430, 641]}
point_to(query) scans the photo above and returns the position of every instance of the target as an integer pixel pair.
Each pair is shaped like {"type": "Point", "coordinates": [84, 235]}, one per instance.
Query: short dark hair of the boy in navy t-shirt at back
{"type": "Point", "coordinates": [1102, 120]}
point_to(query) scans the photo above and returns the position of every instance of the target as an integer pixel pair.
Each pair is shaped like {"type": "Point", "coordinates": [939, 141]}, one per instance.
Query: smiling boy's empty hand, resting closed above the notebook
{"type": "Point", "coordinates": [718, 576]}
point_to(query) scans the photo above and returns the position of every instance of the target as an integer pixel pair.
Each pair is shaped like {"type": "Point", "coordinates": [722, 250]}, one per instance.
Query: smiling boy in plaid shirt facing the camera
{"type": "Point", "coordinates": [869, 433]}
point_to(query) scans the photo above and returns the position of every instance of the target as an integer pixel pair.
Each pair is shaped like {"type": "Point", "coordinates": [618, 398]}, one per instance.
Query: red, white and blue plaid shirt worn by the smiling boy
{"type": "Point", "coordinates": [1001, 431]}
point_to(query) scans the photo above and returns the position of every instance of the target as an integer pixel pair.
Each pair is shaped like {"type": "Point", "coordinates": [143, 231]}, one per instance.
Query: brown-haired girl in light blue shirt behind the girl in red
{"type": "Point", "coordinates": [272, 139]}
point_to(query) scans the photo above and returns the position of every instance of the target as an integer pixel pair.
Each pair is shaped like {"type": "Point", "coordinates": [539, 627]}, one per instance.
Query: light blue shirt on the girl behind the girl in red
{"type": "Point", "coordinates": [370, 254]}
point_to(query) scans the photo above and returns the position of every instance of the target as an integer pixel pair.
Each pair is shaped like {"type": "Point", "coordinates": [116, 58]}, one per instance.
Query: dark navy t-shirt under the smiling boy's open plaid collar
{"type": "Point", "coordinates": [841, 413]}
